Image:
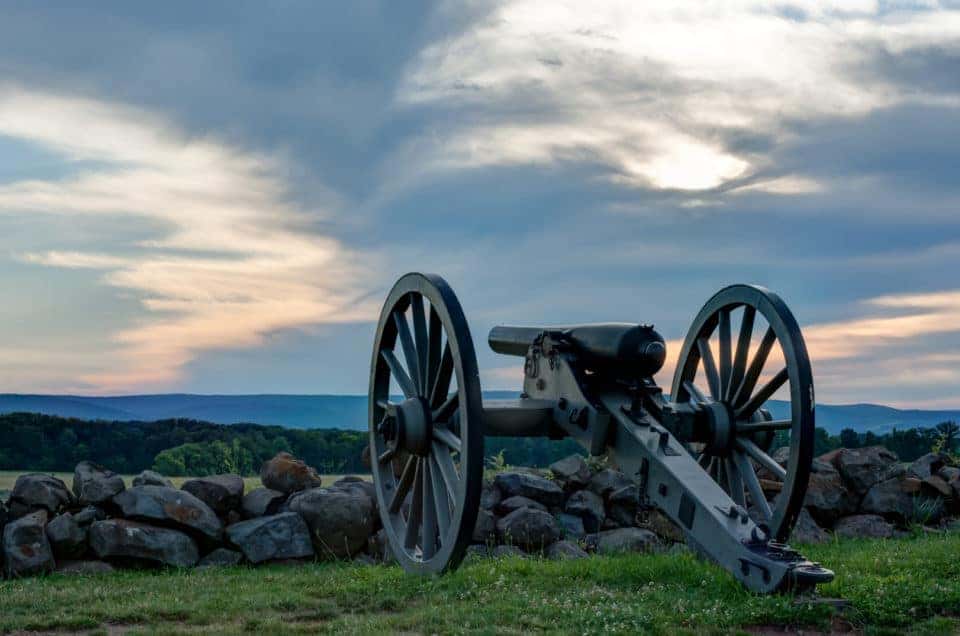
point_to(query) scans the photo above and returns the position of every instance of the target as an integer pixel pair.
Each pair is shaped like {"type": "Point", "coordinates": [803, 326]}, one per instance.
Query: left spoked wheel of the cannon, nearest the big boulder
{"type": "Point", "coordinates": [426, 449]}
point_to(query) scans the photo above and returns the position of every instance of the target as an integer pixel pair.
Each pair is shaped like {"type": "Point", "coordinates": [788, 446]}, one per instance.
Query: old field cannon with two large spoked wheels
{"type": "Point", "coordinates": [711, 456]}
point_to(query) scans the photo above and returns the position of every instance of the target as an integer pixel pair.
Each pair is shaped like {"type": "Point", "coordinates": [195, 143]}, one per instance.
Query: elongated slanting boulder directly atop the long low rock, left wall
{"type": "Point", "coordinates": [170, 508]}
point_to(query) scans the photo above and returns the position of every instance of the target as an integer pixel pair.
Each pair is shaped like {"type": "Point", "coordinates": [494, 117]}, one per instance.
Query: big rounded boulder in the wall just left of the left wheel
{"type": "Point", "coordinates": [340, 521]}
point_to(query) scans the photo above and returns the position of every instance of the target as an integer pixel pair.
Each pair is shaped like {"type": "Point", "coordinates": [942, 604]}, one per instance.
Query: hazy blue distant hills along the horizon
{"type": "Point", "coordinates": [350, 411]}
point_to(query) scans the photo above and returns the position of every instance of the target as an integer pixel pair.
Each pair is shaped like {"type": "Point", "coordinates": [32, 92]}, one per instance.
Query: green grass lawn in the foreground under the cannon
{"type": "Point", "coordinates": [895, 586]}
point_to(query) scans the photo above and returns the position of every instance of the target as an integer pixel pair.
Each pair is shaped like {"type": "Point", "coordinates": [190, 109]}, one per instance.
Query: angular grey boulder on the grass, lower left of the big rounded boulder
{"type": "Point", "coordinates": [282, 536]}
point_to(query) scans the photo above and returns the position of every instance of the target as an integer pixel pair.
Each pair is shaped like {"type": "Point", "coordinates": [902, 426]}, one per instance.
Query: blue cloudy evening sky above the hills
{"type": "Point", "coordinates": [216, 197]}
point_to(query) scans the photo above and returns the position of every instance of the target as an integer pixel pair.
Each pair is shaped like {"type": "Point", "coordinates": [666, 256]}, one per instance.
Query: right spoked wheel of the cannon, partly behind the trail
{"type": "Point", "coordinates": [713, 368]}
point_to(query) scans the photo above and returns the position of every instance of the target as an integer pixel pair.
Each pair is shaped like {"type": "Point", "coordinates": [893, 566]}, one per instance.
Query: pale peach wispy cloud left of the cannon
{"type": "Point", "coordinates": [234, 258]}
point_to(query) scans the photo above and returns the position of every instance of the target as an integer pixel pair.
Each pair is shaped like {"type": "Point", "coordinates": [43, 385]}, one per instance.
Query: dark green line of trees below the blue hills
{"type": "Point", "coordinates": [184, 447]}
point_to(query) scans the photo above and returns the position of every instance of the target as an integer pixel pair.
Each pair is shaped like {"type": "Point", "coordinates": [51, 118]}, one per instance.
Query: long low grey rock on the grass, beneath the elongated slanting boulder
{"type": "Point", "coordinates": [123, 539]}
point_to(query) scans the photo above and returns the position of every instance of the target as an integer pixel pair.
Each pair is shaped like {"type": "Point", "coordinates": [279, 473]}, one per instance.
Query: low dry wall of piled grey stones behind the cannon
{"type": "Point", "coordinates": [568, 511]}
